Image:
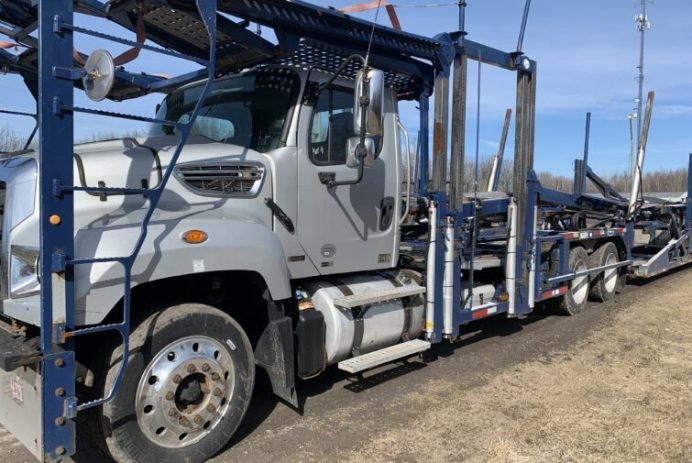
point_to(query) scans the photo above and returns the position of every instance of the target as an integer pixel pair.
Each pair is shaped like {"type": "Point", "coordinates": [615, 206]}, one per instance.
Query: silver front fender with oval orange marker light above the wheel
{"type": "Point", "coordinates": [233, 243]}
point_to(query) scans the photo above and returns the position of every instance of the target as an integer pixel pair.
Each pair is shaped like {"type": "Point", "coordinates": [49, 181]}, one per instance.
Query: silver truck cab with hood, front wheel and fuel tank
{"type": "Point", "coordinates": [267, 209]}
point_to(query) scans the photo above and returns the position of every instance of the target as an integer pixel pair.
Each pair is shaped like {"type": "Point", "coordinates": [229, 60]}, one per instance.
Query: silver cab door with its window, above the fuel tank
{"type": "Point", "coordinates": [347, 228]}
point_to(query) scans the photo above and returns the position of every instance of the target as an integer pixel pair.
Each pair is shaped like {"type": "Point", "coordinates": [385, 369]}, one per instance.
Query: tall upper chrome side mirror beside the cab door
{"type": "Point", "coordinates": [368, 97]}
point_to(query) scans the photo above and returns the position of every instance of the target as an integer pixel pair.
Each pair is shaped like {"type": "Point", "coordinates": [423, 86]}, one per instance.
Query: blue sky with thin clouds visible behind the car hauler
{"type": "Point", "coordinates": [587, 53]}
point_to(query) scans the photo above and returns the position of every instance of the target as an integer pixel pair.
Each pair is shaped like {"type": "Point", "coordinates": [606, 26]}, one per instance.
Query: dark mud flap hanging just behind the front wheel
{"type": "Point", "coordinates": [274, 353]}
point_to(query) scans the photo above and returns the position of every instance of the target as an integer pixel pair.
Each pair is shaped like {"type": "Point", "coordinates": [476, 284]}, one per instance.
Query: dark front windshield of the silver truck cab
{"type": "Point", "coordinates": [248, 110]}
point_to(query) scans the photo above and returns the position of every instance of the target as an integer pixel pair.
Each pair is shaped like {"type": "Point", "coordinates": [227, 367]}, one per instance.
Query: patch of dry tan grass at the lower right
{"type": "Point", "coordinates": [620, 395]}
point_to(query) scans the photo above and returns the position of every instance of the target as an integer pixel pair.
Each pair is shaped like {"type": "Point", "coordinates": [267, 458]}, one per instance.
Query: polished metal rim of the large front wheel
{"type": "Point", "coordinates": [185, 391]}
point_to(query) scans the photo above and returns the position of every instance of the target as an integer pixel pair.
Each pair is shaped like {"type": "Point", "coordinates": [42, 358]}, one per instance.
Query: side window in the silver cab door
{"type": "Point", "coordinates": [332, 126]}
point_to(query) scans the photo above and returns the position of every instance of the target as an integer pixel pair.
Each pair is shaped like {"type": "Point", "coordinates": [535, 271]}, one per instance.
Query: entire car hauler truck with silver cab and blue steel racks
{"type": "Point", "coordinates": [258, 225]}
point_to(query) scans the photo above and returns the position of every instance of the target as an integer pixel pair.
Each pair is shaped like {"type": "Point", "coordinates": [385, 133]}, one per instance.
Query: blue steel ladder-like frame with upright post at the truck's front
{"type": "Point", "coordinates": [55, 120]}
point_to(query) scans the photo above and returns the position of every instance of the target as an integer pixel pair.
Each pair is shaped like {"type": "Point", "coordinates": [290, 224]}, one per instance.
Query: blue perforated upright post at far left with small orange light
{"type": "Point", "coordinates": [56, 227]}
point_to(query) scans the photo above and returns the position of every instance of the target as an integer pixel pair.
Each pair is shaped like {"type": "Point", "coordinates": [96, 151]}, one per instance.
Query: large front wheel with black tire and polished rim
{"type": "Point", "coordinates": [186, 388]}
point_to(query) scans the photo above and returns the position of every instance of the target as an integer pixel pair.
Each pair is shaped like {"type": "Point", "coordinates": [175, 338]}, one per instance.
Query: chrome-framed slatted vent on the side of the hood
{"type": "Point", "coordinates": [222, 179]}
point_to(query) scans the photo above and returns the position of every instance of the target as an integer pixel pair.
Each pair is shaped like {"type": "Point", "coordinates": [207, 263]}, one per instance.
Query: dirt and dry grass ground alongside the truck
{"type": "Point", "coordinates": [612, 384]}
